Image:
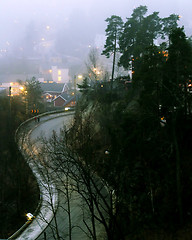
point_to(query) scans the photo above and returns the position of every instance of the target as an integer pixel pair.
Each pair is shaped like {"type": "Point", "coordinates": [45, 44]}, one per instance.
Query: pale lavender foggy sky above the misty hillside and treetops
{"type": "Point", "coordinates": [75, 20]}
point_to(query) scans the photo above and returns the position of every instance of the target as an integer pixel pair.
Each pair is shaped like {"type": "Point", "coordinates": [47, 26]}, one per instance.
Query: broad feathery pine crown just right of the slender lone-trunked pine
{"type": "Point", "coordinates": [140, 32]}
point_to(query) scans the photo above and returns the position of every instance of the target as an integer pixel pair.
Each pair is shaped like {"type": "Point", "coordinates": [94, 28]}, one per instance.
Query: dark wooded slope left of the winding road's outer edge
{"type": "Point", "coordinates": [15, 176]}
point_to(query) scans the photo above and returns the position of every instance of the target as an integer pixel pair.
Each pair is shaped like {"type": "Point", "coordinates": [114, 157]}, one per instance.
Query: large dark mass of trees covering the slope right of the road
{"type": "Point", "coordinates": [145, 129]}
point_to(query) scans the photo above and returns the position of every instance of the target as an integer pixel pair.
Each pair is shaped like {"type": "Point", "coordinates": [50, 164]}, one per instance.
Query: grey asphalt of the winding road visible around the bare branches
{"type": "Point", "coordinates": [79, 230]}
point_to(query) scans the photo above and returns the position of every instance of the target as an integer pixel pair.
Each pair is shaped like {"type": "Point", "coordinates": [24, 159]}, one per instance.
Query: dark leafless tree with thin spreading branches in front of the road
{"type": "Point", "coordinates": [76, 175]}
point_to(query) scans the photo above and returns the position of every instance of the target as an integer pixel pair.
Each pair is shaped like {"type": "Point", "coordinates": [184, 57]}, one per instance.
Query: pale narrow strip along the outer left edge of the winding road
{"type": "Point", "coordinates": [44, 213]}
